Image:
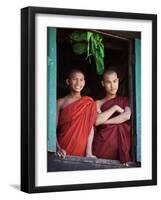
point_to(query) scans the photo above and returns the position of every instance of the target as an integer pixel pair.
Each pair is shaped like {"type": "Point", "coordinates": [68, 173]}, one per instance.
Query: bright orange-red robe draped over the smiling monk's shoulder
{"type": "Point", "coordinates": [74, 125]}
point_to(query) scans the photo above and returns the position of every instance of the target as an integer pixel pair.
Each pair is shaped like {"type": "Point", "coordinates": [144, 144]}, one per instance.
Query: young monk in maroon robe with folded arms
{"type": "Point", "coordinates": [112, 140]}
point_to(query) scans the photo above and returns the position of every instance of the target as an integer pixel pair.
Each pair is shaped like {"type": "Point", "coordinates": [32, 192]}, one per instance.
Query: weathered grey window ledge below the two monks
{"type": "Point", "coordinates": [70, 163]}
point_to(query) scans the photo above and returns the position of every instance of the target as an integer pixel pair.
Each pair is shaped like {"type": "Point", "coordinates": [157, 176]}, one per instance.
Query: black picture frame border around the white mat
{"type": "Point", "coordinates": [28, 95]}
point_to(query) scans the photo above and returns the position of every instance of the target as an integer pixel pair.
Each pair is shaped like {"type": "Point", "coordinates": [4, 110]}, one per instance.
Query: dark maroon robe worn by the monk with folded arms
{"type": "Point", "coordinates": [113, 141]}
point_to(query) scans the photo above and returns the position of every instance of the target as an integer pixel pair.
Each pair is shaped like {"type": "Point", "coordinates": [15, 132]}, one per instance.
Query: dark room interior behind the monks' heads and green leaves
{"type": "Point", "coordinates": [116, 55]}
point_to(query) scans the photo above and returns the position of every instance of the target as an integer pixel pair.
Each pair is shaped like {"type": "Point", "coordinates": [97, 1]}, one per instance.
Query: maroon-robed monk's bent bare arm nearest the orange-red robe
{"type": "Point", "coordinates": [102, 117]}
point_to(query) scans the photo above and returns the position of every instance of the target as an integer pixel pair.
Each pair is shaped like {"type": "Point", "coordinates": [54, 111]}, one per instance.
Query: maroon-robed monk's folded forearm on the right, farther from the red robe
{"type": "Point", "coordinates": [122, 117]}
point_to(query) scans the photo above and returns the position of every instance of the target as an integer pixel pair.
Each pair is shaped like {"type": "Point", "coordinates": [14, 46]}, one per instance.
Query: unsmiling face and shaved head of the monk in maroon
{"type": "Point", "coordinates": [111, 83]}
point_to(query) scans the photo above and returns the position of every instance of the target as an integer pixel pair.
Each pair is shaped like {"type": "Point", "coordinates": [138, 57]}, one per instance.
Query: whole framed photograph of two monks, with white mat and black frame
{"type": "Point", "coordinates": [88, 99]}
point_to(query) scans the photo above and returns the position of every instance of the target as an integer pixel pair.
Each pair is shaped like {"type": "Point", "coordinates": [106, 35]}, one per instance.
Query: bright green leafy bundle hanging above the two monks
{"type": "Point", "coordinates": [91, 44]}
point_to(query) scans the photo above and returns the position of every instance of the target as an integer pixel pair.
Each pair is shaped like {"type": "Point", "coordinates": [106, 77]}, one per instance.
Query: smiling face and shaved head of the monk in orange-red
{"type": "Point", "coordinates": [76, 82]}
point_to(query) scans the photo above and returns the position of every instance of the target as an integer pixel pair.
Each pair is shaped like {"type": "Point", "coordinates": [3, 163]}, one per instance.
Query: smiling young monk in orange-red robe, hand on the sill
{"type": "Point", "coordinates": [76, 116]}
